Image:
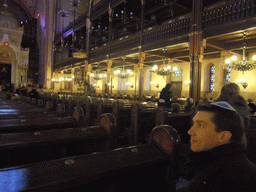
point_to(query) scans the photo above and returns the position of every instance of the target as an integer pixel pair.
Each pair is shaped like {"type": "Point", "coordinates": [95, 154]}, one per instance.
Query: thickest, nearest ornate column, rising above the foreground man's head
{"type": "Point", "coordinates": [196, 50]}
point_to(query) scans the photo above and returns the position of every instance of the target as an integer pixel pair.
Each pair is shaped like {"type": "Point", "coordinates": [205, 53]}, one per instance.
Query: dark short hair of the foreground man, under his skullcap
{"type": "Point", "coordinates": [225, 120]}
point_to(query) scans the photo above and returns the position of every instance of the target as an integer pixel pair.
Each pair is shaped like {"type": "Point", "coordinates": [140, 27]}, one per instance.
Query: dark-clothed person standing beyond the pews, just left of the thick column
{"type": "Point", "coordinates": [165, 98]}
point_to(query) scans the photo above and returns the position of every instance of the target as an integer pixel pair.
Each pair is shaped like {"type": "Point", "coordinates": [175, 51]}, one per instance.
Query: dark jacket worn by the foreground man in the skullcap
{"type": "Point", "coordinates": [224, 168]}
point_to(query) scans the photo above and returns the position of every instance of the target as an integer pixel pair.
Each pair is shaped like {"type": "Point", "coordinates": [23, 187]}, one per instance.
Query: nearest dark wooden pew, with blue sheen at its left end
{"type": "Point", "coordinates": [136, 168]}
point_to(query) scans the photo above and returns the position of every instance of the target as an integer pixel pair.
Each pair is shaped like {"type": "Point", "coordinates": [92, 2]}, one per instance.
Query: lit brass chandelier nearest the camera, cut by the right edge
{"type": "Point", "coordinates": [242, 65]}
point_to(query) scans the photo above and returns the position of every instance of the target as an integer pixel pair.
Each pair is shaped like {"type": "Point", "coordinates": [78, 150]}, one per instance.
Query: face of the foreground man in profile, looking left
{"type": "Point", "coordinates": [202, 134]}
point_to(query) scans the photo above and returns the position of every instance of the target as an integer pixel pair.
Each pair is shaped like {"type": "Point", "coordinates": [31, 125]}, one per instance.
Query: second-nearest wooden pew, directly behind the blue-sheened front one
{"type": "Point", "coordinates": [30, 147]}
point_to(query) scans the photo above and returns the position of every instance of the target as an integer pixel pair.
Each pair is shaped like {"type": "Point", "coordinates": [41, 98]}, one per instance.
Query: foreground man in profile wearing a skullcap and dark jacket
{"type": "Point", "coordinates": [217, 160]}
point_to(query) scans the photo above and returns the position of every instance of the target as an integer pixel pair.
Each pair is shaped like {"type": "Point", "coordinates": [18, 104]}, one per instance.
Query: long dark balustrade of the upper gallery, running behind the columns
{"type": "Point", "coordinates": [211, 17]}
